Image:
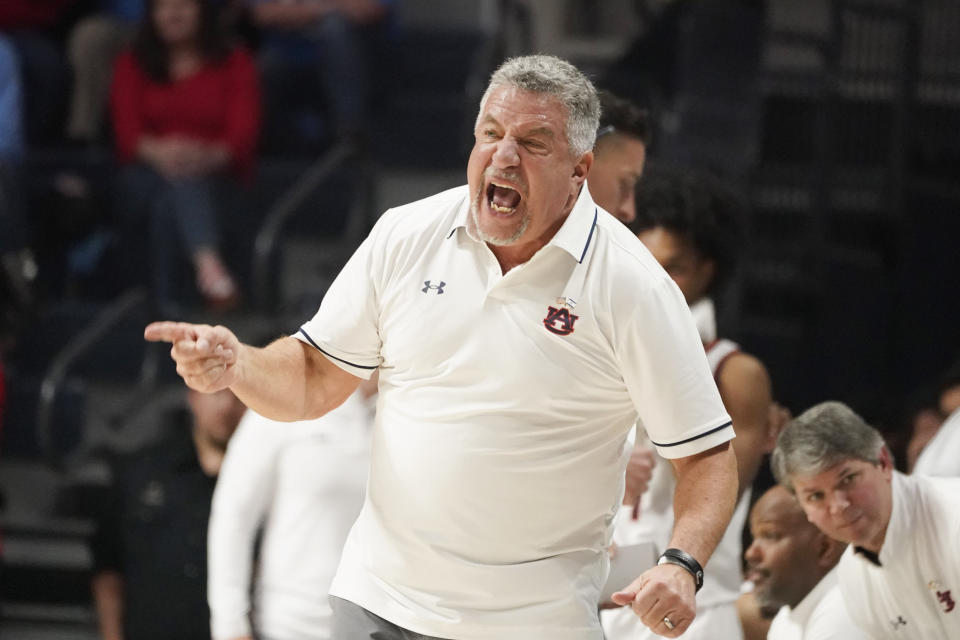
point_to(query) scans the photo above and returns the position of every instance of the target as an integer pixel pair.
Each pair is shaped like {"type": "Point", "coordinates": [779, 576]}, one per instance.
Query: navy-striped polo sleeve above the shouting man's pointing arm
{"type": "Point", "coordinates": [346, 327]}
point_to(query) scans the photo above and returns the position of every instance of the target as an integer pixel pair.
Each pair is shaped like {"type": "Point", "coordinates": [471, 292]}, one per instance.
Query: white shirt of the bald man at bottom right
{"type": "Point", "coordinates": [821, 615]}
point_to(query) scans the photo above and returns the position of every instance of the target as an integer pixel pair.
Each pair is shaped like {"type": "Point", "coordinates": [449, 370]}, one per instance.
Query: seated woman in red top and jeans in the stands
{"type": "Point", "coordinates": [185, 106]}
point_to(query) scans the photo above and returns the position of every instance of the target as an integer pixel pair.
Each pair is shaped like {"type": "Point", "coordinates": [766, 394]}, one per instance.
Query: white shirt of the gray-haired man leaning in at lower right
{"type": "Point", "coordinates": [915, 593]}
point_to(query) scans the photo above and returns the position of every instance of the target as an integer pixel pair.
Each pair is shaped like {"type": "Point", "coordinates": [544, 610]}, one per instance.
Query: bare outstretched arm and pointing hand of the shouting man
{"type": "Point", "coordinates": [286, 380]}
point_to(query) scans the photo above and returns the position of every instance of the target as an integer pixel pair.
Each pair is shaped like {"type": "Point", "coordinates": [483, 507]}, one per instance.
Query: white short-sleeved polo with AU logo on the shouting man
{"type": "Point", "coordinates": [498, 459]}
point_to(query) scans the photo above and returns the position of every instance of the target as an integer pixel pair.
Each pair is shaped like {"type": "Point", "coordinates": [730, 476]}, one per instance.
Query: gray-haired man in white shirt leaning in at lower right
{"type": "Point", "coordinates": [900, 576]}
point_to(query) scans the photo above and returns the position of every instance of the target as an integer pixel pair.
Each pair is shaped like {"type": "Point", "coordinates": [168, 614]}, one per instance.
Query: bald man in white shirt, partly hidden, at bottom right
{"type": "Point", "coordinates": [792, 566]}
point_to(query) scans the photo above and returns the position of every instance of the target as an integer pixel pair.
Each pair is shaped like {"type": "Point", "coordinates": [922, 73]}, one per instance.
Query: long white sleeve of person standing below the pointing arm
{"type": "Point", "coordinates": [245, 487]}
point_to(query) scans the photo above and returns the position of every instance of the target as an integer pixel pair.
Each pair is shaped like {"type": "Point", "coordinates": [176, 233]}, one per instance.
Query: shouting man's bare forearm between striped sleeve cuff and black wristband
{"type": "Point", "coordinates": [704, 500]}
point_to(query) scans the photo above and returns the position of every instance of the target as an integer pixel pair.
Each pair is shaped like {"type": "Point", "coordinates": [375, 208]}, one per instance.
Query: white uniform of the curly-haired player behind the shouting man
{"type": "Point", "coordinates": [716, 601]}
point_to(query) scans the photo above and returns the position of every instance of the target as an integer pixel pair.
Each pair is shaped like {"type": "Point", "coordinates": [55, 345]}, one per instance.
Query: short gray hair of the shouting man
{"type": "Point", "coordinates": [552, 76]}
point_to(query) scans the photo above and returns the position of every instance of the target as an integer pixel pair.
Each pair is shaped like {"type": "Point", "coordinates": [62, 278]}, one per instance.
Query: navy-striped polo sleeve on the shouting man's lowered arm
{"type": "Point", "coordinates": [666, 372]}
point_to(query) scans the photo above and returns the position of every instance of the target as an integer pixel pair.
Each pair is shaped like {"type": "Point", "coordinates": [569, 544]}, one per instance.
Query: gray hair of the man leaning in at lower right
{"type": "Point", "coordinates": [821, 438]}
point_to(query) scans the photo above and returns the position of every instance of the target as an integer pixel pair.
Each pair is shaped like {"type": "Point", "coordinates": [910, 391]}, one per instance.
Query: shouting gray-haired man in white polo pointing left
{"type": "Point", "coordinates": [520, 331]}
